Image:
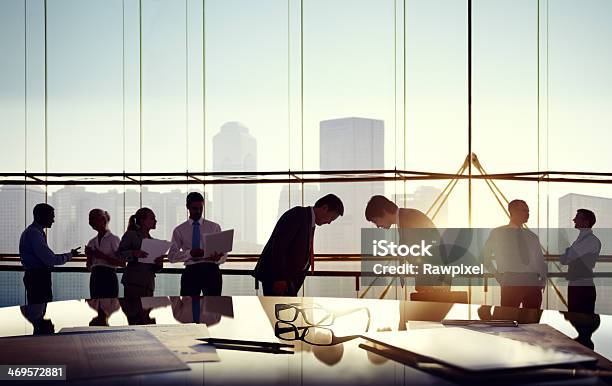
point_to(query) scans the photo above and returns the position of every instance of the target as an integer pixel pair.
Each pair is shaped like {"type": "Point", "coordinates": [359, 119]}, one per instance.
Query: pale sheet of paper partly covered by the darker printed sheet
{"type": "Point", "coordinates": [181, 339]}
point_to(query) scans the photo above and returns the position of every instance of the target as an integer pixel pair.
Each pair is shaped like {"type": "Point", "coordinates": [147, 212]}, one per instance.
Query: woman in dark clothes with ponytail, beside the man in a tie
{"type": "Point", "coordinates": [139, 277]}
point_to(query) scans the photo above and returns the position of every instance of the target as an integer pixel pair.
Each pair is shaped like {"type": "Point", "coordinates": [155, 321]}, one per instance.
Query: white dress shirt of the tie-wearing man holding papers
{"type": "Point", "coordinates": [180, 250]}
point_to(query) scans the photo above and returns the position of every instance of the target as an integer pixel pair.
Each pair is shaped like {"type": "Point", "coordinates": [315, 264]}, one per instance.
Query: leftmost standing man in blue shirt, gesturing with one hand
{"type": "Point", "coordinates": [37, 258]}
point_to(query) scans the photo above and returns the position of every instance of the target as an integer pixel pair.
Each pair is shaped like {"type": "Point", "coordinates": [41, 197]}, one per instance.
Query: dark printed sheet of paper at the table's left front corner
{"type": "Point", "coordinates": [92, 353]}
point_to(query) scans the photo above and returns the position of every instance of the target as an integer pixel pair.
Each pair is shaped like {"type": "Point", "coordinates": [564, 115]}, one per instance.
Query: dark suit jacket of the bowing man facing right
{"type": "Point", "coordinates": [286, 255]}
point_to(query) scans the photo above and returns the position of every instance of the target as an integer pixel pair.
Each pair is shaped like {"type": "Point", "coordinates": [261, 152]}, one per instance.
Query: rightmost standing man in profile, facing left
{"type": "Point", "coordinates": [580, 258]}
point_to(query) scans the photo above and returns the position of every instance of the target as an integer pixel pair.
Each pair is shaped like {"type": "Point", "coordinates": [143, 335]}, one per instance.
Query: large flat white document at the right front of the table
{"type": "Point", "coordinates": [474, 351]}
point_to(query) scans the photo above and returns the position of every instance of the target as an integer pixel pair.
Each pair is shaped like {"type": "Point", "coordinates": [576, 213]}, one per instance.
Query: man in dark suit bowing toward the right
{"type": "Point", "coordinates": [289, 252]}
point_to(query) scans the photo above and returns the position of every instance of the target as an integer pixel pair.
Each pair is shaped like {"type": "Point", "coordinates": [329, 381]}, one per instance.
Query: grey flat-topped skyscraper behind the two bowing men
{"type": "Point", "coordinates": [349, 144]}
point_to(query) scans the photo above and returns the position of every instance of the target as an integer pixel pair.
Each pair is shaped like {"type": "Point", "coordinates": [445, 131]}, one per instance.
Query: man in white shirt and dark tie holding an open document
{"type": "Point", "coordinates": [202, 273]}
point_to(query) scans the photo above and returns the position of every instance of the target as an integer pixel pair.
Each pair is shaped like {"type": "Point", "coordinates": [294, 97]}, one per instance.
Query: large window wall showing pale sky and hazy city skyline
{"type": "Point", "coordinates": [242, 86]}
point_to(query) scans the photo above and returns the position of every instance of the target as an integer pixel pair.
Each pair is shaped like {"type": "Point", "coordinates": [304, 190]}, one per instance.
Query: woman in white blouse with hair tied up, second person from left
{"type": "Point", "coordinates": [101, 257]}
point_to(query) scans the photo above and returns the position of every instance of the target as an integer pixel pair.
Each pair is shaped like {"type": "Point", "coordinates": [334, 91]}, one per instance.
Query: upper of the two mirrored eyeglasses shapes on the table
{"type": "Point", "coordinates": [313, 315]}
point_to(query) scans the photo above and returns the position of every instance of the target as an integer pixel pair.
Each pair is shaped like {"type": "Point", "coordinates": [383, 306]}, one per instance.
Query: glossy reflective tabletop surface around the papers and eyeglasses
{"type": "Point", "coordinates": [325, 333]}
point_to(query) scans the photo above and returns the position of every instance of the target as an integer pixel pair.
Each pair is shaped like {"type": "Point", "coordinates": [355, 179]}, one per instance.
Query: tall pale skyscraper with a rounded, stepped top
{"type": "Point", "coordinates": [235, 206]}
